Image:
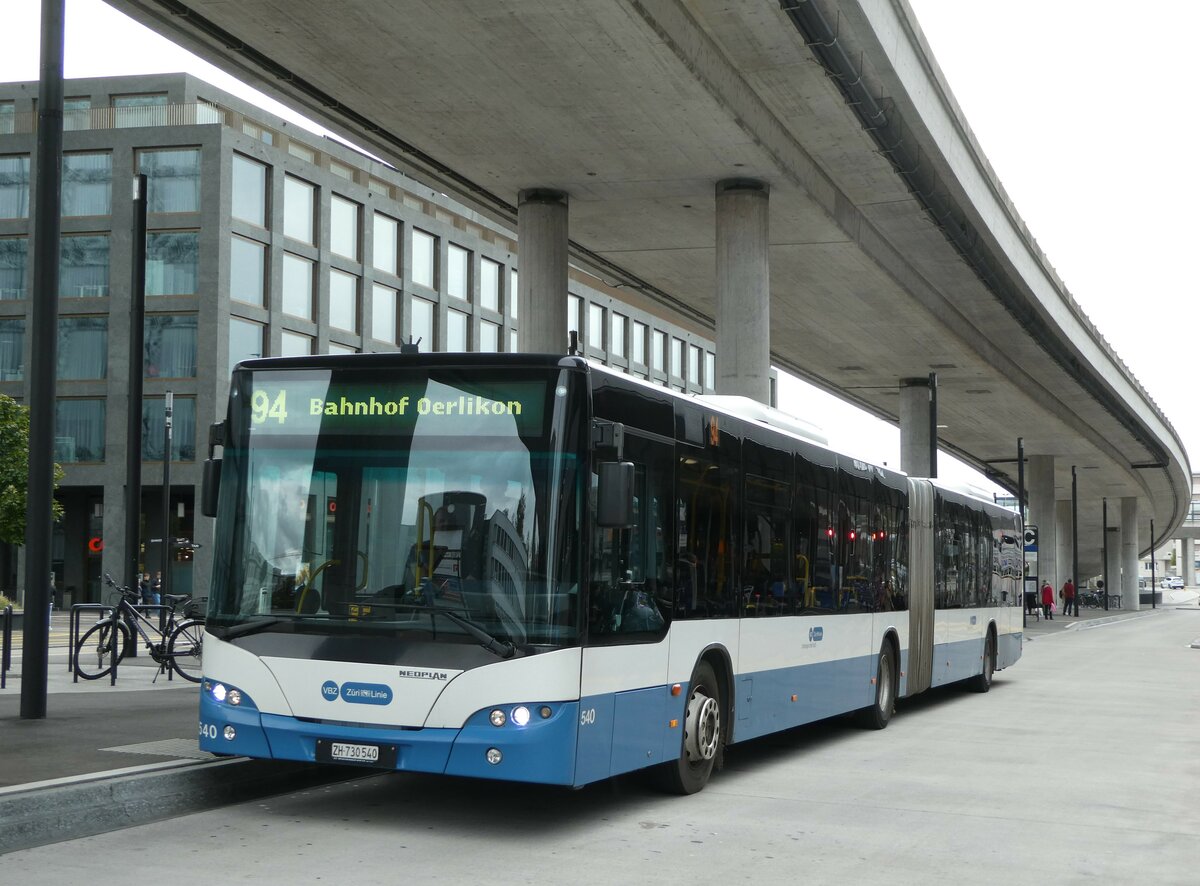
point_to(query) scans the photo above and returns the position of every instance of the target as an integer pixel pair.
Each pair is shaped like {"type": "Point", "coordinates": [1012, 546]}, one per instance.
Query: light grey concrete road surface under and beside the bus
{"type": "Point", "coordinates": [1082, 765]}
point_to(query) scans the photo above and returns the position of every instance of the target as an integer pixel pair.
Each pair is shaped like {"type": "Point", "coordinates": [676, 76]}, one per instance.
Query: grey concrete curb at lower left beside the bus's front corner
{"type": "Point", "coordinates": [67, 810]}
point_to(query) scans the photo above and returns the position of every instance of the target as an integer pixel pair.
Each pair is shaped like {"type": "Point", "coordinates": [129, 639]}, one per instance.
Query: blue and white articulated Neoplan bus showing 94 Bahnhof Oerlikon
{"type": "Point", "coordinates": [531, 568]}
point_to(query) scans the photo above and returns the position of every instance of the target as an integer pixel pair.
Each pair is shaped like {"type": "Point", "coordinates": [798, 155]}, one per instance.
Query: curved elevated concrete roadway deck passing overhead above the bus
{"type": "Point", "coordinates": [895, 252]}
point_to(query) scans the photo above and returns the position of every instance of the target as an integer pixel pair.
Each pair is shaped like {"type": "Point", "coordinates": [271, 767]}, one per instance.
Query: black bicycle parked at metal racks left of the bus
{"type": "Point", "coordinates": [178, 646]}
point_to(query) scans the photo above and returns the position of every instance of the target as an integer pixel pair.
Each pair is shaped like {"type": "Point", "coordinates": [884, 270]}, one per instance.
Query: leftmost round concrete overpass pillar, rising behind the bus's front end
{"type": "Point", "coordinates": [542, 274]}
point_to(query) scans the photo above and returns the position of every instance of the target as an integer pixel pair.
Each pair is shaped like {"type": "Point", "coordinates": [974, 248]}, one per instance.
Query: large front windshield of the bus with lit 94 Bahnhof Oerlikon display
{"type": "Point", "coordinates": [439, 501]}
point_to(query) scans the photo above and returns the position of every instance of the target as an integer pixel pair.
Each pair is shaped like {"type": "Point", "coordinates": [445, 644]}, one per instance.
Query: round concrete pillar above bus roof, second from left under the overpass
{"type": "Point", "coordinates": [743, 290]}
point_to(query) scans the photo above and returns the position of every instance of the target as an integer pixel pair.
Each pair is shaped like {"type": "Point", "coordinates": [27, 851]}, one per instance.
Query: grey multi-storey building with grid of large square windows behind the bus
{"type": "Point", "coordinates": [263, 241]}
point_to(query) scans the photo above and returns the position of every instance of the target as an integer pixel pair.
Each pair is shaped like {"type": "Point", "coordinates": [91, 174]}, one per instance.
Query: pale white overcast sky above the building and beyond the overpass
{"type": "Point", "coordinates": [1084, 115]}
